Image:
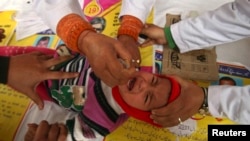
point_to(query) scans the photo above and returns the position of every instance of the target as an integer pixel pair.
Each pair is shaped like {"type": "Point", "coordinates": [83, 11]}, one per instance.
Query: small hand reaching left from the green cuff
{"type": "Point", "coordinates": [155, 35]}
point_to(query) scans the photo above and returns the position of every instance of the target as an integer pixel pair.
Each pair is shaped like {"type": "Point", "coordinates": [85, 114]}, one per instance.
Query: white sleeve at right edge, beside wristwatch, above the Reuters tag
{"type": "Point", "coordinates": [231, 102]}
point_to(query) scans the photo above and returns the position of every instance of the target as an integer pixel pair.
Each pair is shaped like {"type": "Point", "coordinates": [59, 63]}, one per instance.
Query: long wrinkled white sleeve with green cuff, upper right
{"type": "Point", "coordinates": [228, 23]}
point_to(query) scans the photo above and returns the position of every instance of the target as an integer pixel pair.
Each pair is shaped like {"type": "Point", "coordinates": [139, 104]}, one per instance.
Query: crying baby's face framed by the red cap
{"type": "Point", "coordinates": [146, 91]}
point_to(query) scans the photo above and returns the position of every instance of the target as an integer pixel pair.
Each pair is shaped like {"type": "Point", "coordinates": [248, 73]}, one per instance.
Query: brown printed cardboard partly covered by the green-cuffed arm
{"type": "Point", "coordinates": [195, 65]}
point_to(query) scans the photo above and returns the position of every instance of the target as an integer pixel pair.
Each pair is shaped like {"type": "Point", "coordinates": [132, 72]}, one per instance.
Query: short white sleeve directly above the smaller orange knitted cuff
{"type": "Point", "coordinates": [137, 8]}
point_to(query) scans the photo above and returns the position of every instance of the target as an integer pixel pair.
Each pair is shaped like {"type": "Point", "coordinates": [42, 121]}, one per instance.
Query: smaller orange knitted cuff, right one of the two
{"type": "Point", "coordinates": [131, 26]}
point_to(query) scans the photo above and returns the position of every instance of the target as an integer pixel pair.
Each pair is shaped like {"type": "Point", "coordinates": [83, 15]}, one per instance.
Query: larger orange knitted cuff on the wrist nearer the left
{"type": "Point", "coordinates": [70, 28]}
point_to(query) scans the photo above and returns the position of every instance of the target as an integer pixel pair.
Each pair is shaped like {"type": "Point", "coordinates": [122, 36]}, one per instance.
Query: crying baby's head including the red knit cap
{"type": "Point", "coordinates": [146, 91]}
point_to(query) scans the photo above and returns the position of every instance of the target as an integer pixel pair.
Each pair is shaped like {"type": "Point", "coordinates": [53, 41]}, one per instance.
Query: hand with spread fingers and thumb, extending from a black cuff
{"type": "Point", "coordinates": [26, 71]}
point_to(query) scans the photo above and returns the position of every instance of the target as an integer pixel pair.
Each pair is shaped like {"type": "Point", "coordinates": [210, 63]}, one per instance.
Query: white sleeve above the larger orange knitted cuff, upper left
{"type": "Point", "coordinates": [51, 11]}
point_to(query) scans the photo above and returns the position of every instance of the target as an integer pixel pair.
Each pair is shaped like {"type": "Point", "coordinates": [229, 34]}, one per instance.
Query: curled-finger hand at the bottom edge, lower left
{"type": "Point", "coordinates": [46, 132]}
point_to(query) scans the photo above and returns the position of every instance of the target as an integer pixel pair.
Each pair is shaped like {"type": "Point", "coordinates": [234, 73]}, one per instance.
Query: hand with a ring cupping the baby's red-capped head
{"type": "Point", "coordinates": [185, 106]}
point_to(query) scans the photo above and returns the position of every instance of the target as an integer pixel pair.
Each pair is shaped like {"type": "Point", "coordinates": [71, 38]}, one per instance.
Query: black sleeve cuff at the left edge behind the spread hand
{"type": "Point", "coordinates": [4, 68]}
